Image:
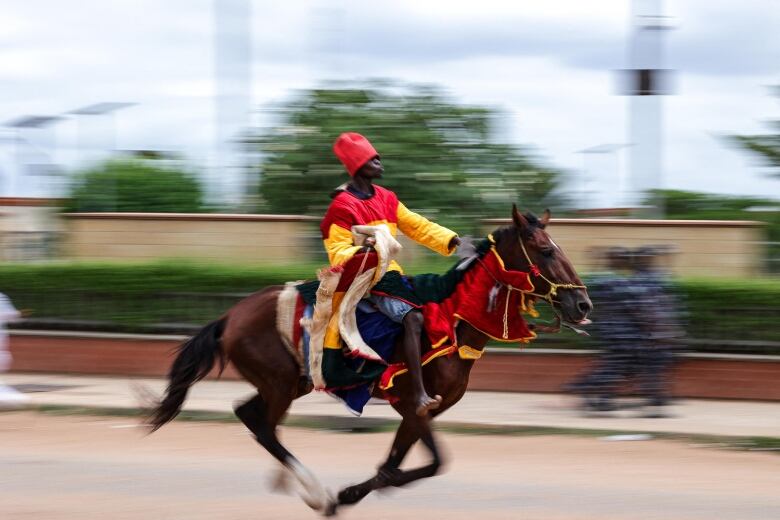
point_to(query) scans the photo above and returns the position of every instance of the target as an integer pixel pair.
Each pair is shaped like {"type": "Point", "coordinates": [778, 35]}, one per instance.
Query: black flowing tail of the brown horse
{"type": "Point", "coordinates": [196, 357]}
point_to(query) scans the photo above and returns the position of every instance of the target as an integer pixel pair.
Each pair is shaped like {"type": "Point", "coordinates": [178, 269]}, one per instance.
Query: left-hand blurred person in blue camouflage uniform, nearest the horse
{"type": "Point", "coordinates": [620, 326]}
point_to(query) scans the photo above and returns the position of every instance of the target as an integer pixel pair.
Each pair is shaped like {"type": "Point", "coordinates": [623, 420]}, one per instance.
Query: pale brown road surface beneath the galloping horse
{"type": "Point", "coordinates": [88, 468]}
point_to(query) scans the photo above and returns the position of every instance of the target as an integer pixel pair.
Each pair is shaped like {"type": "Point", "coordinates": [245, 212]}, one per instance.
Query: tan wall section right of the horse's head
{"type": "Point", "coordinates": [705, 247]}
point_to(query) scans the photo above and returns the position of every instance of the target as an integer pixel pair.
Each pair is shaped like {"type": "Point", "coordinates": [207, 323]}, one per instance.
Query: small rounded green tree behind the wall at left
{"type": "Point", "coordinates": [135, 185]}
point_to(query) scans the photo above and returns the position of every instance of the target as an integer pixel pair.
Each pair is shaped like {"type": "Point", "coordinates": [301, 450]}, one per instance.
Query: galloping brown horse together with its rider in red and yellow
{"type": "Point", "coordinates": [487, 296]}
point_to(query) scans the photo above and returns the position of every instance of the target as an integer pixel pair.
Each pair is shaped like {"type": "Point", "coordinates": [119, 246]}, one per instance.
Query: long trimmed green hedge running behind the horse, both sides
{"type": "Point", "coordinates": [175, 296]}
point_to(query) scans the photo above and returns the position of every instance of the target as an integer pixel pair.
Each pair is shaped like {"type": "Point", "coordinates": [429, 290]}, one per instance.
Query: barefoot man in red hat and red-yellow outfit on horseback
{"type": "Point", "coordinates": [361, 202]}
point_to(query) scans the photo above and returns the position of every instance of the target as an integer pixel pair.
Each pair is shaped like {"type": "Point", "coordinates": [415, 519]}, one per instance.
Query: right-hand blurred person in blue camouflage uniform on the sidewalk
{"type": "Point", "coordinates": [656, 355]}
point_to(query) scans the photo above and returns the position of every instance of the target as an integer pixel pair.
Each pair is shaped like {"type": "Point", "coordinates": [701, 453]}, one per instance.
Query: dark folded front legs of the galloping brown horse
{"type": "Point", "coordinates": [389, 474]}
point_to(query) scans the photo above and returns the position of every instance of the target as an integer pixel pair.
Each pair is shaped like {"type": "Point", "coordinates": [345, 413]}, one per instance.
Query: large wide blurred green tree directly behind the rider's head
{"type": "Point", "coordinates": [438, 156]}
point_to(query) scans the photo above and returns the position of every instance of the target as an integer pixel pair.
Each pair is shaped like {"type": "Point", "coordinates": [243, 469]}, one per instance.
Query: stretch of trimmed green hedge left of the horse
{"type": "Point", "coordinates": [168, 296]}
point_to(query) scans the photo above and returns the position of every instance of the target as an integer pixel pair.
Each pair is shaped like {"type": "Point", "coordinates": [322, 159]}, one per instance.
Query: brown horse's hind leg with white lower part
{"type": "Point", "coordinates": [261, 417]}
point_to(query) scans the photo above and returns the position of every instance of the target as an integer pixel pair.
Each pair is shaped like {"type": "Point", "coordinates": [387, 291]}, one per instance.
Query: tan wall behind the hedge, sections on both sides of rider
{"type": "Point", "coordinates": [705, 247]}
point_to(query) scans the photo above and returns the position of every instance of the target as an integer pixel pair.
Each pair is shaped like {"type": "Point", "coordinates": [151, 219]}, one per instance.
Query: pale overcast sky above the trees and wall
{"type": "Point", "coordinates": [548, 65]}
